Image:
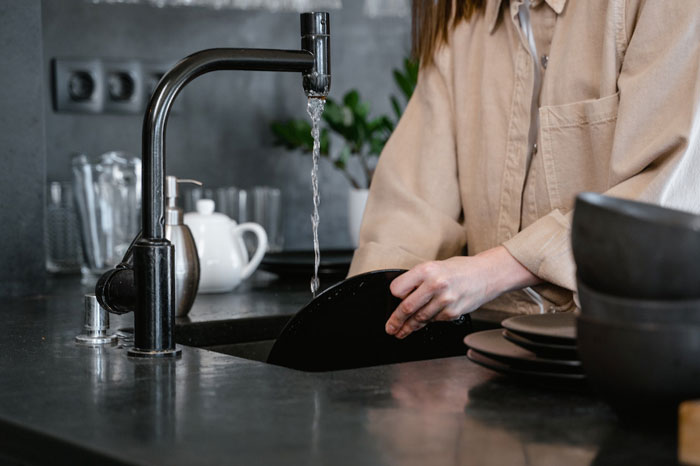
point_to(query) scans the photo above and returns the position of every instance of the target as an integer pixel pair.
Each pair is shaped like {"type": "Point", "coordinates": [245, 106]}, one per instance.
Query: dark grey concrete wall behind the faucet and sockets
{"type": "Point", "coordinates": [220, 136]}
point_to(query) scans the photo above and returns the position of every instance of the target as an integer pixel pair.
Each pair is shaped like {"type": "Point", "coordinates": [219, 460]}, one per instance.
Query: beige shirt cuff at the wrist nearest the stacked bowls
{"type": "Point", "coordinates": [544, 248]}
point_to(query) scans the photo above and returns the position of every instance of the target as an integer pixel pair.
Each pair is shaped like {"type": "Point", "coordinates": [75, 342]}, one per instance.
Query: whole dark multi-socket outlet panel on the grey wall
{"type": "Point", "coordinates": [104, 86]}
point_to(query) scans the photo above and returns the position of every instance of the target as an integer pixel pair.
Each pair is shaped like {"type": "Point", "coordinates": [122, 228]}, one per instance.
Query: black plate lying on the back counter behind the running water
{"type": "Point", "coordinates": [334, 262]}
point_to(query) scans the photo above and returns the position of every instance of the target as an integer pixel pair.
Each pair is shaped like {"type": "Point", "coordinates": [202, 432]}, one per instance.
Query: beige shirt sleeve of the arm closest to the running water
{"type": "Point", "coordinates": [413, 212]}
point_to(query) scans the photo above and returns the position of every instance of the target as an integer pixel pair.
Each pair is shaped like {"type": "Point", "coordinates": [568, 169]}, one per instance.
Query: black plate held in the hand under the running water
{"type": "Point", "coordinates": [343, 328]}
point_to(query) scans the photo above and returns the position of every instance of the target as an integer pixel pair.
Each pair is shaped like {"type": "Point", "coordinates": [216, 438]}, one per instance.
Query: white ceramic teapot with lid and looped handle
{"type": "Point", "coordinates": [223, 257]}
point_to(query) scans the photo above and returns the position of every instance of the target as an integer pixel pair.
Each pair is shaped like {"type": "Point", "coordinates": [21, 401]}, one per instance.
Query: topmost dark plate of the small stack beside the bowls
{"type": "Point", "coordinates": [558, 328]}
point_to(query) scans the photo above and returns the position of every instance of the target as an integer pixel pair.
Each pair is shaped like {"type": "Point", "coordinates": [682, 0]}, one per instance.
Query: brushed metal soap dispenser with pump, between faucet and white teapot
{"type": "Point", "coordinates": [186, 260]}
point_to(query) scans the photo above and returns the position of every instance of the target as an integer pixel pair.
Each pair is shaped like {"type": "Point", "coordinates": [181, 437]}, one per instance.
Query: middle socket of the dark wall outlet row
{"type": "Point", "coordinates": [123, 86]}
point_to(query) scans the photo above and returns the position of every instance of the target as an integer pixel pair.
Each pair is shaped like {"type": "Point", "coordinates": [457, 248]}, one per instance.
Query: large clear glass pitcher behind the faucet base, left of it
{"type": "Point", "coordinates": [108, 199]}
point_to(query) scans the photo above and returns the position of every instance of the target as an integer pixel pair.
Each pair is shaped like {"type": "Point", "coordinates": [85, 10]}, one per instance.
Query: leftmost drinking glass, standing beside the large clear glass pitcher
{"type": "Point", "coordinates": [62, 234]}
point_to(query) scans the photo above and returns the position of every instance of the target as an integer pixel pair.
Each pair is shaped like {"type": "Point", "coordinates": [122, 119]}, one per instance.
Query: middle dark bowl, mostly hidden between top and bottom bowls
{"type": "Point", "coordinates": [610, 308]}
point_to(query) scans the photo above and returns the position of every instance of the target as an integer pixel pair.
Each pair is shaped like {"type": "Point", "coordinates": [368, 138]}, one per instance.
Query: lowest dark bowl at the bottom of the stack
{"type": "Point", "coordinates": [643, 370]}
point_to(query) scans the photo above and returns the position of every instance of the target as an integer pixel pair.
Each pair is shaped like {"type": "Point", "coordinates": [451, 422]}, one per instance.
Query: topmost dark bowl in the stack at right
{"type": "Point", "coordinates": [632, 249]}
